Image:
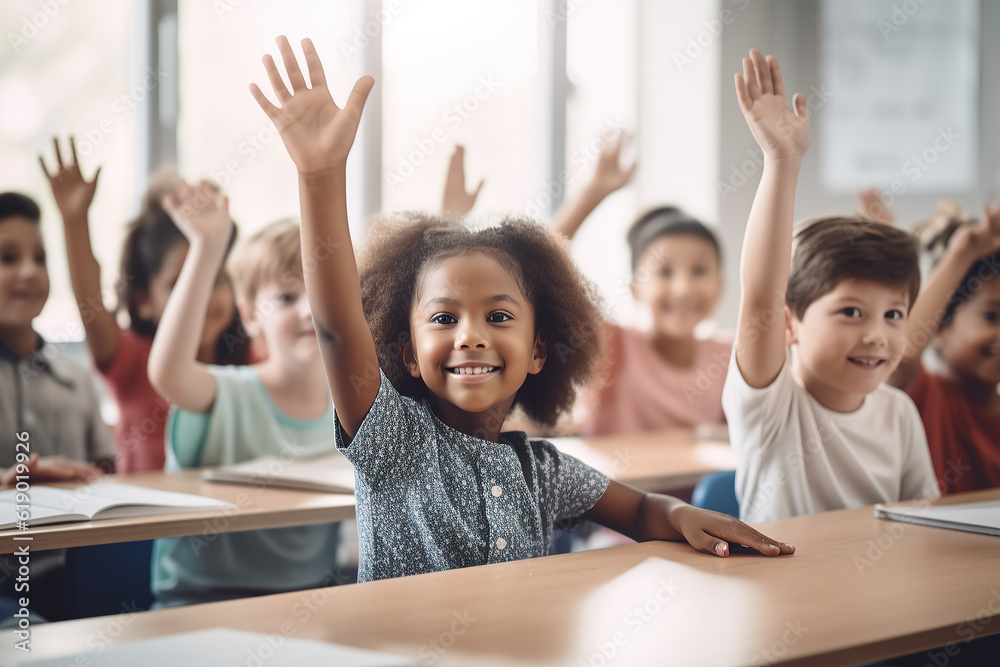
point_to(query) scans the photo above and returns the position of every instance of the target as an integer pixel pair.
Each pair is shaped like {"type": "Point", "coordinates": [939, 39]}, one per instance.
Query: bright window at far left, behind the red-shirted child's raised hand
{"type": "Point", "coordinates": [65, 71]}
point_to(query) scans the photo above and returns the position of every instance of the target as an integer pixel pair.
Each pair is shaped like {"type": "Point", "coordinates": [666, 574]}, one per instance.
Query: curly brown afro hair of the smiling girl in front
{"type": "Point", "coordinates": [569, 319]}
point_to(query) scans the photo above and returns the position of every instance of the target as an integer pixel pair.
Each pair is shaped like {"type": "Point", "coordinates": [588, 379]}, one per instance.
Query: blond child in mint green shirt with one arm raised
{"type": "Point", "coordinates": [222, 415]}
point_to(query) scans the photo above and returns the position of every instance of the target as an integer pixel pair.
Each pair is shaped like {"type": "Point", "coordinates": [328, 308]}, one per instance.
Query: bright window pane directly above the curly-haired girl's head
{"type": "Point", "coordinates": [456, 72]}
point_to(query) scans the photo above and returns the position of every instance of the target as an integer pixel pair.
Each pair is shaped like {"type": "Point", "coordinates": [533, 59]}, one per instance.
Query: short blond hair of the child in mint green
{"type": "Point", "coordinates": [272, 254]}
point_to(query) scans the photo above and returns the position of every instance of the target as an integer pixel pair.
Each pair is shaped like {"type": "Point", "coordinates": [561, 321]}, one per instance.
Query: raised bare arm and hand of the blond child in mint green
{"type": "Point", "coordinates": [203, 216]}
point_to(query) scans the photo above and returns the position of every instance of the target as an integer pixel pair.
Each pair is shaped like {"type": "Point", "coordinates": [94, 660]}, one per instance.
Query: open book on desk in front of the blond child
{"type": "Point", "coordinates": [329, 473]}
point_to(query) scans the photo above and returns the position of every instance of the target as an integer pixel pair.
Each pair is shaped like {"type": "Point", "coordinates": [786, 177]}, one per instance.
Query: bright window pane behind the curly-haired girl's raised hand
{"type": "Point", "coordinates": [222, 133]}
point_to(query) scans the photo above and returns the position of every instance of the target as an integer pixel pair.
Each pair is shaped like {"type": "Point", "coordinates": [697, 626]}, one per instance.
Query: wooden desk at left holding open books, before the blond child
{"type": "Point", "coordinates": [257, 507]}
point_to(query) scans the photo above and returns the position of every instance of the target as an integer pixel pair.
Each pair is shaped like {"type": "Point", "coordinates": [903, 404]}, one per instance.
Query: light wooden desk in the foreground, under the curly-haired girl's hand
{"type": "Point", "coordinates": [858, 590]}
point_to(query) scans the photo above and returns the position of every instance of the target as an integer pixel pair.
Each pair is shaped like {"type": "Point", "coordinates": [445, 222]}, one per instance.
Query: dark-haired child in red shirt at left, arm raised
{"type": "Point", "coordinates": [153, 253]}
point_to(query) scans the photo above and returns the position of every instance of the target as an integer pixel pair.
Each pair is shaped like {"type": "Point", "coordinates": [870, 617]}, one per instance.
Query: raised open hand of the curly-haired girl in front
{"type": "Point", "coordinates": [316, 132]}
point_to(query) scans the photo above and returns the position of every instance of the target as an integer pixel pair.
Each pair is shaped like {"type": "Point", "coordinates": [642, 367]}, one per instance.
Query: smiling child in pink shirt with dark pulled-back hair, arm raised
{"type": "Point", "coordinates": [664, 376]}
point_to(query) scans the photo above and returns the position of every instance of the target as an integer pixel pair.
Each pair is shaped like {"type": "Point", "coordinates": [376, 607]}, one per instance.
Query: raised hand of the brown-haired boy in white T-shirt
{"type": "Point", "coordinates": [780, 132]}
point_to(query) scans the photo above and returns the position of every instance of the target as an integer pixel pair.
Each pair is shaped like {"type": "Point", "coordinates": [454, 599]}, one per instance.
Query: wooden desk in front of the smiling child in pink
{"type": "Point", "coordinates": [658, 461]}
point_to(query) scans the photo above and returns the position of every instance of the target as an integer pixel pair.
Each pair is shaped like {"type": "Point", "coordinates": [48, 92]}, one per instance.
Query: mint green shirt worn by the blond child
{"type": "Point", "coordinates": [243, 424]}
